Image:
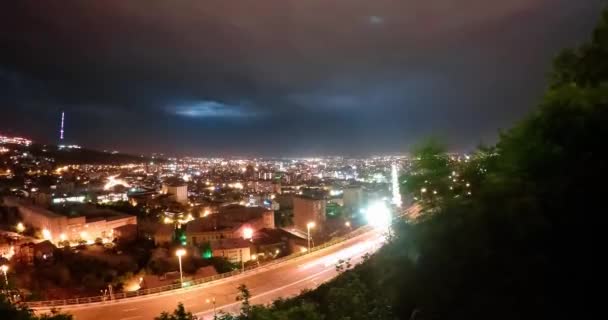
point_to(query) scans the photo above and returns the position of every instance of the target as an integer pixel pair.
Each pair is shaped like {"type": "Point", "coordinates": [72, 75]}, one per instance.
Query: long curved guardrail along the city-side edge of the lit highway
{"type": "Point", "coordinates": [191, 284]}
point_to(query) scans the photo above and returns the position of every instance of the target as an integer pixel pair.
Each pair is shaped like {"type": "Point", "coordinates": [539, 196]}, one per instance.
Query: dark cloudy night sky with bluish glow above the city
{"type": "Point", "coordinates": [278, 77]}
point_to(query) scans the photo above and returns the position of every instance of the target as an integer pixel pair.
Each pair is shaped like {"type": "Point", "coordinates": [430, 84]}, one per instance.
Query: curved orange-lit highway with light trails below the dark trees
{"type": "Point", "coordinates": [267, 284]}
